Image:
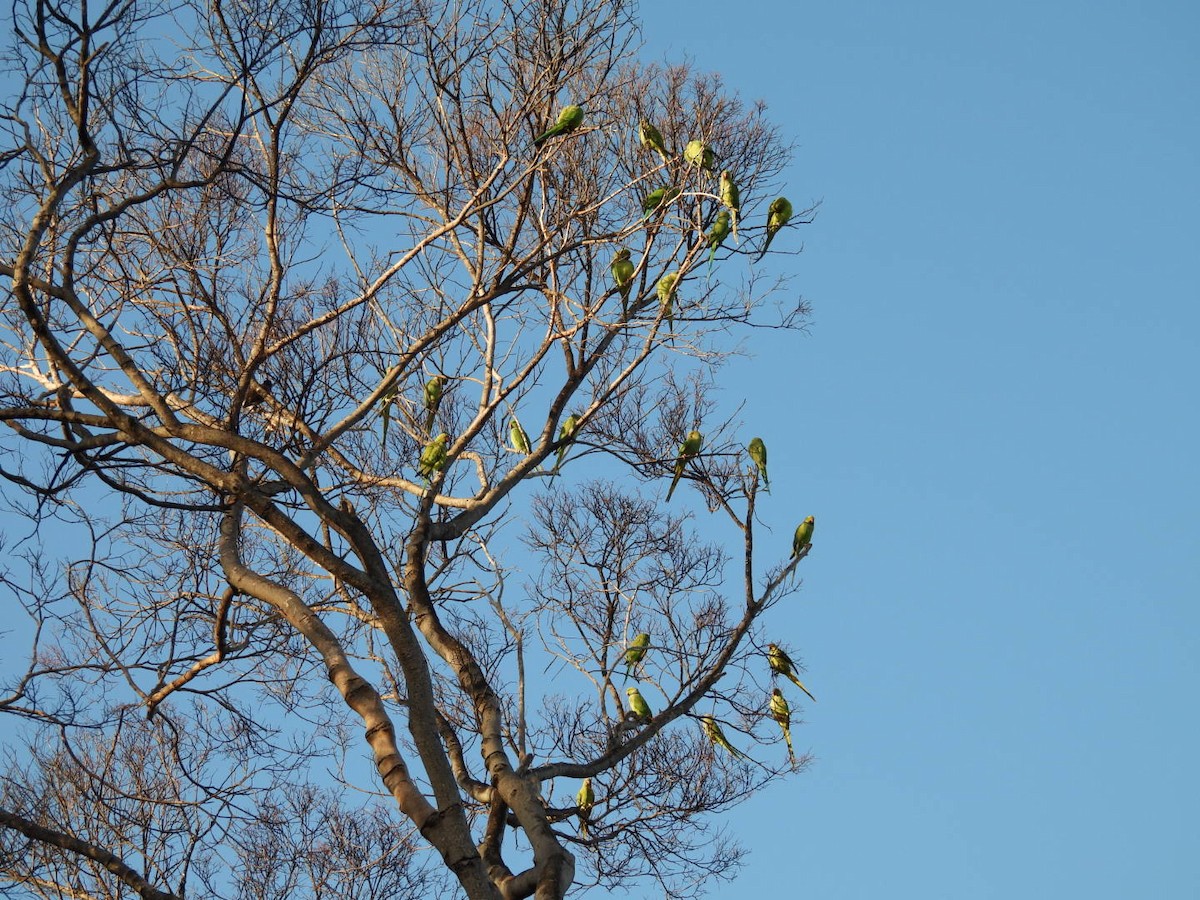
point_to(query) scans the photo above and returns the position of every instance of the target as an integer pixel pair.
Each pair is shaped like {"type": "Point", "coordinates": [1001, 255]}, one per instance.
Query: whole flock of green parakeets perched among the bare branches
{"type": "Point", "coordinates": [435, 454]}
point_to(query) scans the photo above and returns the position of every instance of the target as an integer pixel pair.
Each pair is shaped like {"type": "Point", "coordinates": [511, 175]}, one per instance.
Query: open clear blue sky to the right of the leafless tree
{"type": "Point", "coordinates": [998, 433]}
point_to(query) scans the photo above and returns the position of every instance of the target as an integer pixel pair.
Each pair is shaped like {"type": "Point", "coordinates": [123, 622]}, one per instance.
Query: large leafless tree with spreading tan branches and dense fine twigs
{"type": "Point", "coordinates": [334, 436]}
